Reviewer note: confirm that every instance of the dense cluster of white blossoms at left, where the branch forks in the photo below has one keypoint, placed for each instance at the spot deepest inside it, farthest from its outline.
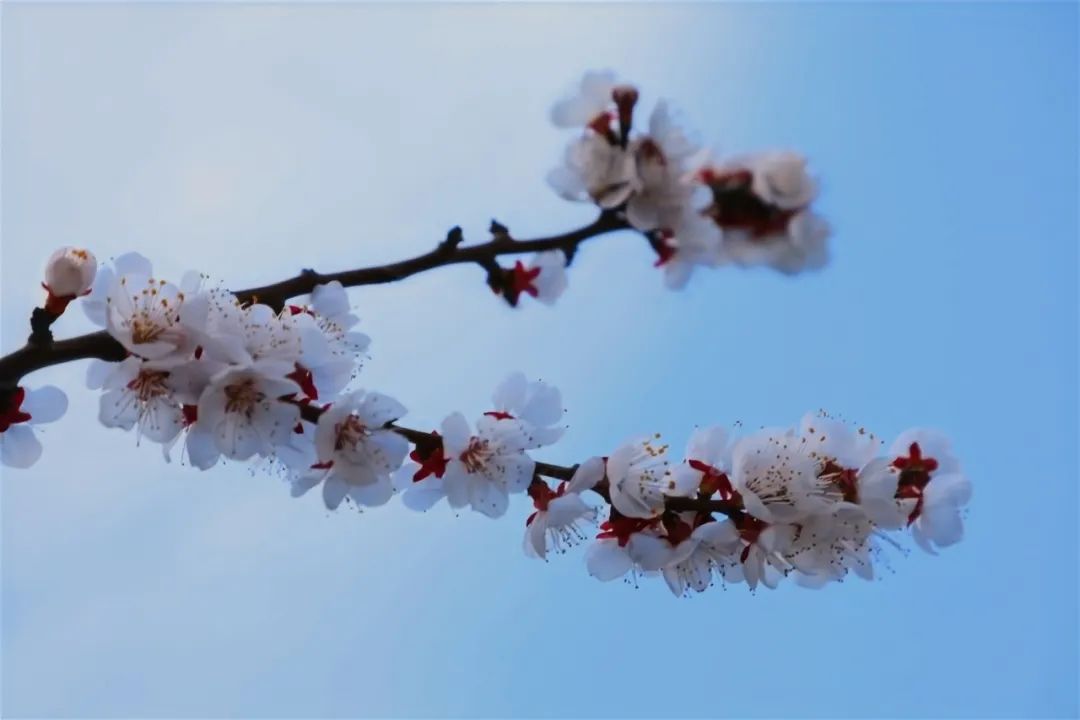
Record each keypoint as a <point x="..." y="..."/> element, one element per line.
<point x="228" y="379"/>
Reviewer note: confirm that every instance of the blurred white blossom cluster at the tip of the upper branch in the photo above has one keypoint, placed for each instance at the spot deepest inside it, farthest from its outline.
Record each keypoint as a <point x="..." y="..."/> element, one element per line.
<point x="696" y="211"/>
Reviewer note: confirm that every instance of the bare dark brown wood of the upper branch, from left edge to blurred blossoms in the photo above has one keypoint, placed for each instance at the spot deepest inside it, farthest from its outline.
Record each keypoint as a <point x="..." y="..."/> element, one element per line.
<point x="40" y="354"/>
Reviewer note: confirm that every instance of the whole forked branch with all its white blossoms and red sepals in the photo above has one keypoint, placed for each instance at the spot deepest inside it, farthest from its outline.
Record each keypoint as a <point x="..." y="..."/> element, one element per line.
<point x="225" y="379"/>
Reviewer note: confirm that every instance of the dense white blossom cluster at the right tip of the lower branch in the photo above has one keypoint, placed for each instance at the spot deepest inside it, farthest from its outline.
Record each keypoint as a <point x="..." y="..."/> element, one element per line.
<point x="815" y="501"/>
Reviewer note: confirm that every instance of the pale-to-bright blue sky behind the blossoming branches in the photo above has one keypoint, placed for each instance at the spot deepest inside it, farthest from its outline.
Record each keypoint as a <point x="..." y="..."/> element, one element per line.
<point x="250" y="142"/>
